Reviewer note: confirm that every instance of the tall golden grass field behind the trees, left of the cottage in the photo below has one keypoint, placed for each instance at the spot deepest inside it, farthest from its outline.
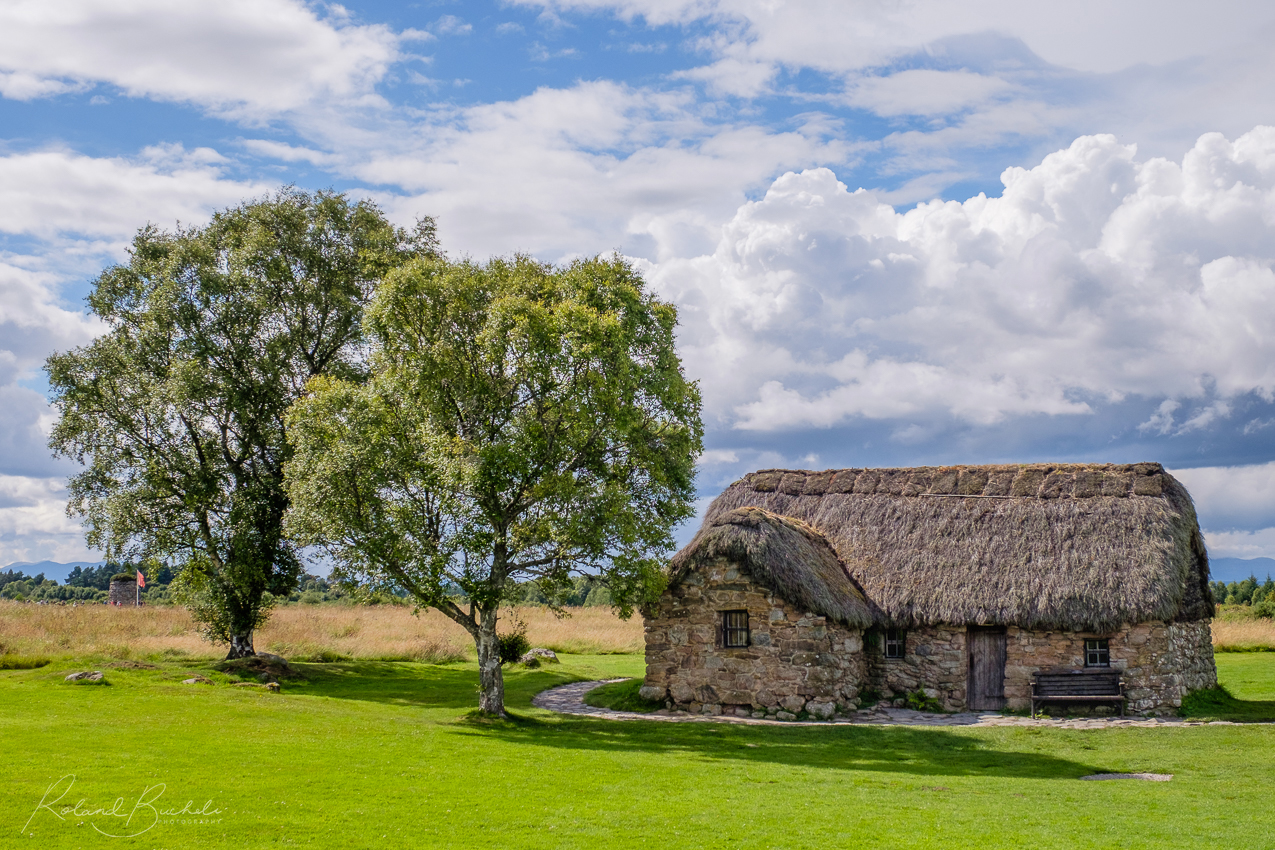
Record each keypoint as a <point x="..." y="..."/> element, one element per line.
<point x="381" y="633"/>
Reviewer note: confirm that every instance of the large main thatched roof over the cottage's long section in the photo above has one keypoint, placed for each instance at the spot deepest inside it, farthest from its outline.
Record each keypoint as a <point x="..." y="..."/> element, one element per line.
<point x="1044" y="546"/>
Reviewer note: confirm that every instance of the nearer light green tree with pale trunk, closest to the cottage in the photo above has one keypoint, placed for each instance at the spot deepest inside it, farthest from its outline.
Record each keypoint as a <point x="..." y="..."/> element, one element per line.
<point x="521" y="422"/>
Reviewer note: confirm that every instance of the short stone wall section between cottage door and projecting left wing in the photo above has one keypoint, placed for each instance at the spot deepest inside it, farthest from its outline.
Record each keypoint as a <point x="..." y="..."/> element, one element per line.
<point x="934" y="662"/>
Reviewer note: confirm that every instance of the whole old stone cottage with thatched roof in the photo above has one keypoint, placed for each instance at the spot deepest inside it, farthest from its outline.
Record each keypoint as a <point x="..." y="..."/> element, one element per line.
<point x="958" y="582"/>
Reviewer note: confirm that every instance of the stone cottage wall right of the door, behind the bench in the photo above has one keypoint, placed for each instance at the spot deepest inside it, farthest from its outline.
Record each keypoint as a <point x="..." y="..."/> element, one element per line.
<point x="1161" y="663"/>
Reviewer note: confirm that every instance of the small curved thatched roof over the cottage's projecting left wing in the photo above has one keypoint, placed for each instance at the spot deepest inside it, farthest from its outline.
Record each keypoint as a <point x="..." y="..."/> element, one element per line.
<point x="782" y="554"/>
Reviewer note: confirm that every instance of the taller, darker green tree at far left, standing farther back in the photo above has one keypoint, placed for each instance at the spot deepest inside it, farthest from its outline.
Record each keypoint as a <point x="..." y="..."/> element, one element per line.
<point x="178" y="411"/>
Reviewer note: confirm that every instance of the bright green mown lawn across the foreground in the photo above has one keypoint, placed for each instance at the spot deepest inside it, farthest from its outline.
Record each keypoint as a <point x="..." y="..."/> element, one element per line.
<point x="386" y="755"/>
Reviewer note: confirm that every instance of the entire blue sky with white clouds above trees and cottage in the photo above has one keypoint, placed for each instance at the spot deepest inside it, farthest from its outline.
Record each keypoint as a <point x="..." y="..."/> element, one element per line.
<point x="900" y="234"/>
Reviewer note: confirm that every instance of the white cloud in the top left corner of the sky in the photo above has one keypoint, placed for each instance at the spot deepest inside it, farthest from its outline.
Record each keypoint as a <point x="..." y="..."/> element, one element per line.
<point x="251" y="58"/>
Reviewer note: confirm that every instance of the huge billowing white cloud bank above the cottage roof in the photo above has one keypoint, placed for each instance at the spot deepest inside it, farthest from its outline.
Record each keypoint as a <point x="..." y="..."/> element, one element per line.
<point x="1096" y="277"/>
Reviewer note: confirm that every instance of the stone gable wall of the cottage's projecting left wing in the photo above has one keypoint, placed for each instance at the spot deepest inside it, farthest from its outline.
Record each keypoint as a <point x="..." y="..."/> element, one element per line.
<point x="798" y="662"/>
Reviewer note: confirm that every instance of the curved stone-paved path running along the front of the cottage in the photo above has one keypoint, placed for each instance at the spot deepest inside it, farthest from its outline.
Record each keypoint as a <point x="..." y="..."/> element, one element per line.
<point x="569" y="699"/>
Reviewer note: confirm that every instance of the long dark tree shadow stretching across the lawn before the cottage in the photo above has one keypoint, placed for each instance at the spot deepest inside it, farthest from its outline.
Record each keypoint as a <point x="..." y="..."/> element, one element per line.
<point x="893" y="750"/>
